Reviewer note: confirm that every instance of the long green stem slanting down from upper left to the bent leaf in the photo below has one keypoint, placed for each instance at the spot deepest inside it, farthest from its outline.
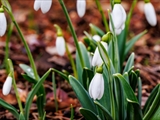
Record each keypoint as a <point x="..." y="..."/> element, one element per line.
<point x="25" y="45"/>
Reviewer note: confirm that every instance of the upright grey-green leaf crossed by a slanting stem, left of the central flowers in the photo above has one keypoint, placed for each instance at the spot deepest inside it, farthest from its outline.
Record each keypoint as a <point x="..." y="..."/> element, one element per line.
<point x="85" y="59"/>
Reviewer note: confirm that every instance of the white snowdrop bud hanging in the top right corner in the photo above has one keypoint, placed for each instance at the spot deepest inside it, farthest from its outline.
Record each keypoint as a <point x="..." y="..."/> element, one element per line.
<point x="150" y="14"/>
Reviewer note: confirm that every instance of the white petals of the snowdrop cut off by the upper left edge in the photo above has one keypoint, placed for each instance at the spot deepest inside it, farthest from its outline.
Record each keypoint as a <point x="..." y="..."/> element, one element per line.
<point x="3" y="24"/>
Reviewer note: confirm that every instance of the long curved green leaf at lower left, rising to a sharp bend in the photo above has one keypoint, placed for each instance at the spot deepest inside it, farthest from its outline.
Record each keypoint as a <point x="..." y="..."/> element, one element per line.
<point x="33" y="93"/>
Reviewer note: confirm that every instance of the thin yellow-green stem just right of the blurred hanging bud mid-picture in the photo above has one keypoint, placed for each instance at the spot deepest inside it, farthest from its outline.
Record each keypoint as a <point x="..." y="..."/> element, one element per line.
<point x="72" y="61"/>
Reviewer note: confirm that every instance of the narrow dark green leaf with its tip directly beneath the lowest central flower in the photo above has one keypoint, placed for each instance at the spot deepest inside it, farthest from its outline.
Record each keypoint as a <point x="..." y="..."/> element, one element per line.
<point x="105" y="111"/>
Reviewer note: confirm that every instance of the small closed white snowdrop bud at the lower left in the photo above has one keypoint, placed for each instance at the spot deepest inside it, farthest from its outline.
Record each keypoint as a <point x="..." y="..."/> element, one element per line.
<point x="7" y="86"/>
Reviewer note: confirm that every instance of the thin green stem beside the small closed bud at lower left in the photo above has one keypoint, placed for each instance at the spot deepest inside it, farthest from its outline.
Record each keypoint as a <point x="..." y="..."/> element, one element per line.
<point x="15" y="86"/>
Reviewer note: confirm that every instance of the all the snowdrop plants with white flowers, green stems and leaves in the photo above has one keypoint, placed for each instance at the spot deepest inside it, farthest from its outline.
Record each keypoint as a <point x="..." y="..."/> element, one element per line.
<point x="105" y="88"/>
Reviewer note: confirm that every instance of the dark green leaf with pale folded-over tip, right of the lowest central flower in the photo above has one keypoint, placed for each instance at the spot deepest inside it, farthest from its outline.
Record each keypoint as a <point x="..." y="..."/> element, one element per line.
<point x="127" y="89"/>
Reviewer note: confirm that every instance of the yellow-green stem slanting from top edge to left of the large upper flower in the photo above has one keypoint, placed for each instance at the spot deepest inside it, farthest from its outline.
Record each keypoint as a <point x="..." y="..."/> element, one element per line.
<point x="102" y="14"/>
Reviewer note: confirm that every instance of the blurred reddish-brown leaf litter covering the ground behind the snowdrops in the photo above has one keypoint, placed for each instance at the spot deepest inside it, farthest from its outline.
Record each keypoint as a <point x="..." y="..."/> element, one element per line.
<point x="40" y="34"/>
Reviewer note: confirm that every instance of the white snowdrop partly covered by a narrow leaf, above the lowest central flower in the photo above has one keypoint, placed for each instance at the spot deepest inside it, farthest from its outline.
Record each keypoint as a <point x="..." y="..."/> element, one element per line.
<point x="97" y="60"/>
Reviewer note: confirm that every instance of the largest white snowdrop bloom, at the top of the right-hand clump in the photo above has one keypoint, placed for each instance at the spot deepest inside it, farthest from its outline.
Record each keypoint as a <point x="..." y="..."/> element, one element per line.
<point x="118" y="16"/>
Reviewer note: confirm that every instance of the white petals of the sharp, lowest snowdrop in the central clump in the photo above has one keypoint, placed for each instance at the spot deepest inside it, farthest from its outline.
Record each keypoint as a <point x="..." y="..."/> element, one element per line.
<point x="96" y="87"/>
